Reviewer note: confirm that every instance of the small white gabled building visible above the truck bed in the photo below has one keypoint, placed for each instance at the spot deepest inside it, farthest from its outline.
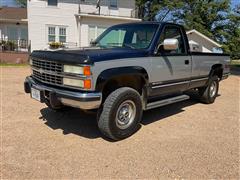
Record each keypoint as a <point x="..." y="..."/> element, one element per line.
<point x="201" y="43"/>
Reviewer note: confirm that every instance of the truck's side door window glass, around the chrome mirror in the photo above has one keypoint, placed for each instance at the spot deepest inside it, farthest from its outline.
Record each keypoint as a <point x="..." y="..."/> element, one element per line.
<point x="172" y="32"/>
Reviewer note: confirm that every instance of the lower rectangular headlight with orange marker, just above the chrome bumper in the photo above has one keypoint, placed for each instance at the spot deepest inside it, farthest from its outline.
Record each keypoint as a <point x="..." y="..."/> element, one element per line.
<point x="85" y="84"/>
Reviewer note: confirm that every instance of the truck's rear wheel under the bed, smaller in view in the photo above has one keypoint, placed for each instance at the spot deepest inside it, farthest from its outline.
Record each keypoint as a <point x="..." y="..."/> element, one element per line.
<point x="209" y="93"/>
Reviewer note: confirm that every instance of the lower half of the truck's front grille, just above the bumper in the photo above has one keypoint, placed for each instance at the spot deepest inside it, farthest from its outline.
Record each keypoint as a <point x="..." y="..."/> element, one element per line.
<point x="47" y="78"/>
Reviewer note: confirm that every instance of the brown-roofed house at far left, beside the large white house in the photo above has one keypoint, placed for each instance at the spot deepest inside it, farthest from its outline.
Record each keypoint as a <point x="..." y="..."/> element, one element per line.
<point x="13" y="25"/>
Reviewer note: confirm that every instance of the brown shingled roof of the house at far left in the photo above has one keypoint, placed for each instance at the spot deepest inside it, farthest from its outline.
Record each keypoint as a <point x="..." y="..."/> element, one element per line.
<point x="13" y="14"/>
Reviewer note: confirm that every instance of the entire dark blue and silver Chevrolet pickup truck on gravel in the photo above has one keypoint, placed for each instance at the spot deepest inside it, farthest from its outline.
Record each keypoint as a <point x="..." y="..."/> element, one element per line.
<point x="128" y="69"/>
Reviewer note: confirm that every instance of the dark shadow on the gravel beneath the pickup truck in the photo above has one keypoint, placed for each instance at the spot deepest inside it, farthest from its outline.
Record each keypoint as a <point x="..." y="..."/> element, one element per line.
<point x="75" y="121"/>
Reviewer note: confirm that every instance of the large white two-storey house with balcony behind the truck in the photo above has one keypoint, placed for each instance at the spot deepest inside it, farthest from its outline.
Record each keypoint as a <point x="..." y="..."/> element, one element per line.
<point x="74" y="22"/>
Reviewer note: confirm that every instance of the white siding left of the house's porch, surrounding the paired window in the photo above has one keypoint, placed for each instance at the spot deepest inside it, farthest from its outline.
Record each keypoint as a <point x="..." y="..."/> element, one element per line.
<point x="40" y="16"/>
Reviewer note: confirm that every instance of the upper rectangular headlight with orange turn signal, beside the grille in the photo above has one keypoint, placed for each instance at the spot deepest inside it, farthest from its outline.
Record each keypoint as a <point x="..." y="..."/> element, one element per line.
<point x="77" y="70"/>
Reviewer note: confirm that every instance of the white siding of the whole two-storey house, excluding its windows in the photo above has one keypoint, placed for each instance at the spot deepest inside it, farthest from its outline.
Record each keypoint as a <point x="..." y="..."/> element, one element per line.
<point x="40" y="16"/>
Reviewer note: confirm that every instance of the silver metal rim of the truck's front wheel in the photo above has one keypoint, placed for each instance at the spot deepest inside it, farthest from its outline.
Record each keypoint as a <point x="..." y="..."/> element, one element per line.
<point x="126" y="114"/>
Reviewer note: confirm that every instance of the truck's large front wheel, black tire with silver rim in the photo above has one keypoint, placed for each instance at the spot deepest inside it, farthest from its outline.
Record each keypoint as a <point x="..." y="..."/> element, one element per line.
<point x="121" y="114"/>
